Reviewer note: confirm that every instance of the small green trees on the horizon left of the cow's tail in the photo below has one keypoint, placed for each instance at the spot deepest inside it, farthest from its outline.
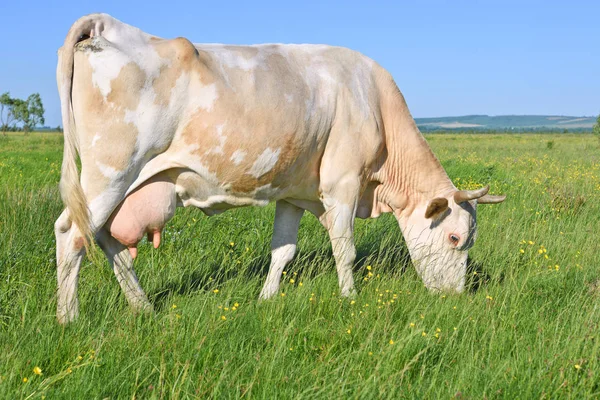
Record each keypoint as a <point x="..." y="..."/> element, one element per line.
<point x="18" y="114"/>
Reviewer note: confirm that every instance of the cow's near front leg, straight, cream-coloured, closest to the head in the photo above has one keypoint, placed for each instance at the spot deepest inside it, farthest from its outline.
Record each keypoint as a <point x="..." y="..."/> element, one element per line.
<point x="340" y="204"/>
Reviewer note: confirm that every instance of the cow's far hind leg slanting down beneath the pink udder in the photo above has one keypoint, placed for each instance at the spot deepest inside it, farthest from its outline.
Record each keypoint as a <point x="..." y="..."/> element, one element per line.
<point x="122" y="263"/>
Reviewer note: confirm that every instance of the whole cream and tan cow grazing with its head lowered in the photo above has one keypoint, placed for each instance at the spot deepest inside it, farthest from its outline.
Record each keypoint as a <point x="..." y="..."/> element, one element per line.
<point x="160" y="123"/>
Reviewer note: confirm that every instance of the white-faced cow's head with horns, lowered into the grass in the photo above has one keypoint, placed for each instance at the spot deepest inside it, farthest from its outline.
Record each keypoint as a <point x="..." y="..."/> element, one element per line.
<point x="439" y="234"/>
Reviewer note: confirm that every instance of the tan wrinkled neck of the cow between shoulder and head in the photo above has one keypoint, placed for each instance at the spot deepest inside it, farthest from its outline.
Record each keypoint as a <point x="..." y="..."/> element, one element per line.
<point x="410" y="172"/>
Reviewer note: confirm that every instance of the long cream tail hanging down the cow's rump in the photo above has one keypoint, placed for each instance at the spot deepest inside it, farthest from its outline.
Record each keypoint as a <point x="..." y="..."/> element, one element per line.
<point x="70" y="186"/>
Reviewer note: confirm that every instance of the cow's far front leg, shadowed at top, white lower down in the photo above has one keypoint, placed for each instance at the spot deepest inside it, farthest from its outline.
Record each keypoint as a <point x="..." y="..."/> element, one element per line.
<point x="283" y="244"/>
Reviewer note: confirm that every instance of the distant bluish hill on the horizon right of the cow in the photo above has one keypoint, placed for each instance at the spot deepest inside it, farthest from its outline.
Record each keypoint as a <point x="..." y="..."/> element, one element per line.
<point x="507" y="123"/>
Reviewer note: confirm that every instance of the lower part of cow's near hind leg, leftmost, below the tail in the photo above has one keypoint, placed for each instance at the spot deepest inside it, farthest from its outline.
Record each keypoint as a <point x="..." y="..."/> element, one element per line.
<point x="70" y="249"/>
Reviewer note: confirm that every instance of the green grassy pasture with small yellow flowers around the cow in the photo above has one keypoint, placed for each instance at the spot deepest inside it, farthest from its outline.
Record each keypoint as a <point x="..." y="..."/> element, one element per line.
<point x="527" y="328"/>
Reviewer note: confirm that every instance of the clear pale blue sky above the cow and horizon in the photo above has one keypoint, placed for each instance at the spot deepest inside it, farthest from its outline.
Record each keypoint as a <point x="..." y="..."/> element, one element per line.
<point x="448" y="57"/>
